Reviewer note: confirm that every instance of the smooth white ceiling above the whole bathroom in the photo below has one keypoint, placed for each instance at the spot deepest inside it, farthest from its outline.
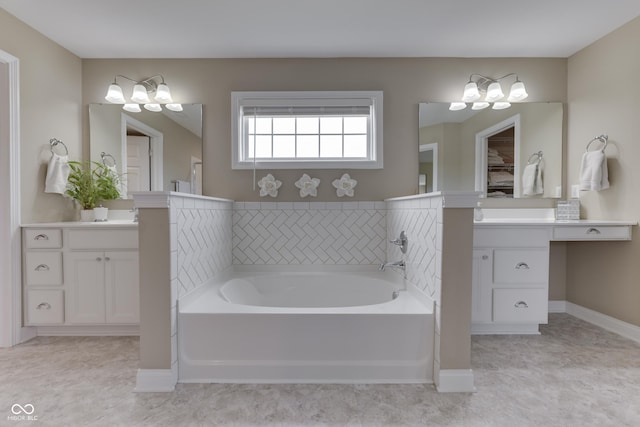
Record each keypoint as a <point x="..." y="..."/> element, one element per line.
<point x="323" y="28"/>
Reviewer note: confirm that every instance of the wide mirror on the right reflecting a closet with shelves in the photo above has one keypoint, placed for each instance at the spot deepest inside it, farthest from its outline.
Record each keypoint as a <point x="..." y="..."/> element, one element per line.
<point x="488" y="150"/>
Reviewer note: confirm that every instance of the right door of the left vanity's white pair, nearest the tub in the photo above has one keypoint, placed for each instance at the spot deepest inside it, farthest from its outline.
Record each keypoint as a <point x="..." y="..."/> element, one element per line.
<point x="121" y="287"/>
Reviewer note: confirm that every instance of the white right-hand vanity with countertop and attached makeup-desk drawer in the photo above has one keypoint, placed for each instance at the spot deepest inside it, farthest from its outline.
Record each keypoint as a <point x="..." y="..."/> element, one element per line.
<point x="510" y="282"/>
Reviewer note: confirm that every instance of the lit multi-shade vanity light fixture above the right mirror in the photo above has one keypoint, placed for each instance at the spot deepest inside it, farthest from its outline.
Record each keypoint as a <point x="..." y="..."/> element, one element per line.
<point x="493" y="93"/>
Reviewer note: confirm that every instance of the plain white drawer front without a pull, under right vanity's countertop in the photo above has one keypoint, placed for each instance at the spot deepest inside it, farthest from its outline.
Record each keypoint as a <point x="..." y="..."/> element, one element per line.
<point x="511" y="237"/>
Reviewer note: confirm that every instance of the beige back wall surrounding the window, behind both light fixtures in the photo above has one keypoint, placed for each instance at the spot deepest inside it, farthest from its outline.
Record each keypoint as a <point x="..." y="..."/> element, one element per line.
<point x="405" y="83"/>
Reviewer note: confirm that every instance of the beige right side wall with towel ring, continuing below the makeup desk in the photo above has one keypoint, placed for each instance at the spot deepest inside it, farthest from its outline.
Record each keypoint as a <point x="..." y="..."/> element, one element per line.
<point x="603" y="98"/>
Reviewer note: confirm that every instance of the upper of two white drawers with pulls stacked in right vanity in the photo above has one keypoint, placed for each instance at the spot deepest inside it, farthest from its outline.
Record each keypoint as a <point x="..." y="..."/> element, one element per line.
<point x="520" y="266"/>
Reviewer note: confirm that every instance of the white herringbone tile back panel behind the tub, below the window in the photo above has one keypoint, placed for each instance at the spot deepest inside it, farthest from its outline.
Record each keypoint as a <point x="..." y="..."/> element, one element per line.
<point x="332" y="233"/>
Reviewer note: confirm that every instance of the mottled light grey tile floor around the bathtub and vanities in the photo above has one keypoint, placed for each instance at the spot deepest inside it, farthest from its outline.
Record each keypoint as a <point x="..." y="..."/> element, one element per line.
<point x="574" y="374"/>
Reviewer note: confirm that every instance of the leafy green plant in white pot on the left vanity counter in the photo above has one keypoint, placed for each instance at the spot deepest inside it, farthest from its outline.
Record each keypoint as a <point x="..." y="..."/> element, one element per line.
<point x="90" y="183"/>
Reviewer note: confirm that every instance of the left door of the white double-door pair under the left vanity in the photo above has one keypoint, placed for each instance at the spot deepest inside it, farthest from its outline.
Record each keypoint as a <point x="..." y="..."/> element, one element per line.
<point x="84" y="276"/>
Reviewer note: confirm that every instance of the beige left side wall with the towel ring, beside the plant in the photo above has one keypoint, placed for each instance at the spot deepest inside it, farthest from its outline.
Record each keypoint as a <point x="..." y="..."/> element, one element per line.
<point x="50" y="107"/>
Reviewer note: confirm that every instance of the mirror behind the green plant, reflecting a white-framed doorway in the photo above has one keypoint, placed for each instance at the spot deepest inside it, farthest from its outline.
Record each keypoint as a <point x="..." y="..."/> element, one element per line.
<point x="152" y="151"/>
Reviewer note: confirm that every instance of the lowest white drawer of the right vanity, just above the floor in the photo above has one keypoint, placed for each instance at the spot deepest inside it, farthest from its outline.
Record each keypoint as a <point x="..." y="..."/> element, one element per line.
<point x="520" y="305"/>
